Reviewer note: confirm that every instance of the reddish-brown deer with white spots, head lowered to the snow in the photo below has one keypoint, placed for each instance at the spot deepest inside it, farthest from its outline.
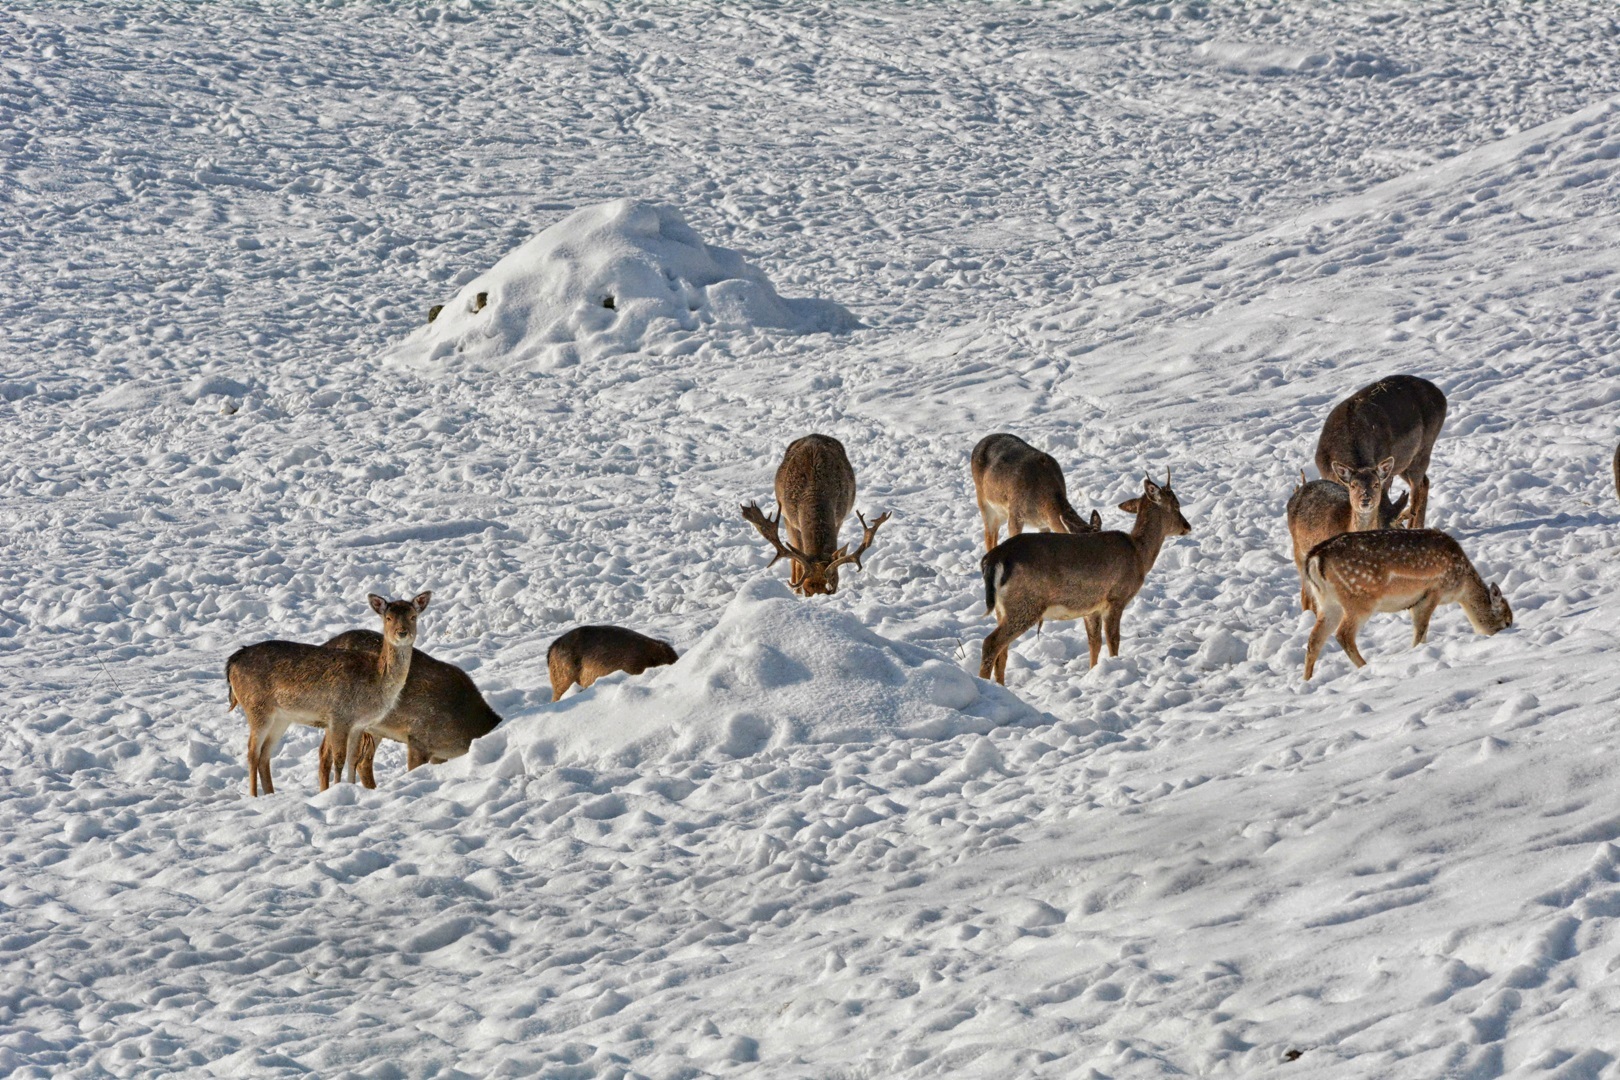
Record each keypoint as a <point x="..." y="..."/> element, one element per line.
<point x="1388" y="571"/>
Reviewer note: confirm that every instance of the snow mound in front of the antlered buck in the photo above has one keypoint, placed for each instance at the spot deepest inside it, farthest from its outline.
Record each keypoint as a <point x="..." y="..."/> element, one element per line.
<point x="777" y="671"/>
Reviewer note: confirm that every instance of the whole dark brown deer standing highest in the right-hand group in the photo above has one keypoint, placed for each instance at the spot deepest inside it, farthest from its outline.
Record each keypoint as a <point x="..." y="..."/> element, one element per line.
<point x="1379" y="433"/>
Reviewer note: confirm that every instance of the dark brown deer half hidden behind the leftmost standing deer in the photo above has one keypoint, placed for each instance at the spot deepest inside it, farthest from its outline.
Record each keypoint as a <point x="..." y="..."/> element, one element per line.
<point x="438" y="715"/>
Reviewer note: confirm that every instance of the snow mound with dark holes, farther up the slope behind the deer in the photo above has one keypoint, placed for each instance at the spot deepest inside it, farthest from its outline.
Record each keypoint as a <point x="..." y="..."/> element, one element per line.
<point x="618" y="278"/>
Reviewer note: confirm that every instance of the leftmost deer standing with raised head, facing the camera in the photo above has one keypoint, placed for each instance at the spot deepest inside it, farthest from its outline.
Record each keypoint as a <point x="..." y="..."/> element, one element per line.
<point x="284" y="682"/>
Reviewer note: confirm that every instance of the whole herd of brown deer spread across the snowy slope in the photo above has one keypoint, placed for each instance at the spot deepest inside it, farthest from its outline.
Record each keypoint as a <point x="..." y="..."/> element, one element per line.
<point x="1357" y="555"/>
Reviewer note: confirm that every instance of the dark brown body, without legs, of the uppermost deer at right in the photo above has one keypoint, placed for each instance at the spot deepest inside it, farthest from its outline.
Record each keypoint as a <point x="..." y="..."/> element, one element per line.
<point x="1399" y="419"/>
